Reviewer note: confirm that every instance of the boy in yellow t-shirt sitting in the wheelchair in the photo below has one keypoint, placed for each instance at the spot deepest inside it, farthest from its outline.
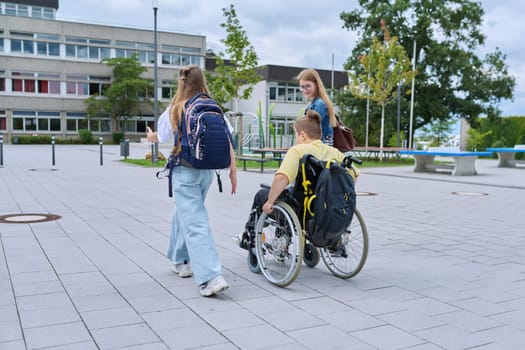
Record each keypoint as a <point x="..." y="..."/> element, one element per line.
<point x="308" y="141"/>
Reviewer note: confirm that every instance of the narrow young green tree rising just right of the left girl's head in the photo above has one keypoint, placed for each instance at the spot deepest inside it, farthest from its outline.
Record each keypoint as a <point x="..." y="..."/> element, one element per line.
<point x="235" y="73"/>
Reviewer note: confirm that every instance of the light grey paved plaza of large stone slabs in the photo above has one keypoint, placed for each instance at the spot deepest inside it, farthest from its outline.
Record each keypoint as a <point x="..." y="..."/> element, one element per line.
<point x="445" y="270"/>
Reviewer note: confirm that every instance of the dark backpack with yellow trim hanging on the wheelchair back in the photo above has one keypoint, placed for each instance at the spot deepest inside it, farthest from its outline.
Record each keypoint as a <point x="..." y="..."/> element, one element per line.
<point x="326" y="197"/>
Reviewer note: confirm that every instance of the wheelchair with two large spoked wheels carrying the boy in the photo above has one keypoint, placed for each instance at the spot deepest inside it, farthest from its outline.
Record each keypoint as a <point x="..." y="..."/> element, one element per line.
<point x="279" y="244"/>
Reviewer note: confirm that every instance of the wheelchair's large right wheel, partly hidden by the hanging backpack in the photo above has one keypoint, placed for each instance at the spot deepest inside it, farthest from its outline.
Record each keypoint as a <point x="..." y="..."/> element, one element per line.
<point x="348" y="256"/>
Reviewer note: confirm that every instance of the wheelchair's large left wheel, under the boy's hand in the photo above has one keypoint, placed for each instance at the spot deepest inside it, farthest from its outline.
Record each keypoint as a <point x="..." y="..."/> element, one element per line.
<point x="279" y="243"/>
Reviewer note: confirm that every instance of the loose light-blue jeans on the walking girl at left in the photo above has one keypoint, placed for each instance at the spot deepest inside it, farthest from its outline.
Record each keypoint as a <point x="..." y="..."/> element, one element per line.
<point x="191" y="238"/>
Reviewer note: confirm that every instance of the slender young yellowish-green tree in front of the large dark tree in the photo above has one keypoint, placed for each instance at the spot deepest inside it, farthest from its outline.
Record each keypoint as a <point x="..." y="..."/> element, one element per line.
<point x="382" y="70"/>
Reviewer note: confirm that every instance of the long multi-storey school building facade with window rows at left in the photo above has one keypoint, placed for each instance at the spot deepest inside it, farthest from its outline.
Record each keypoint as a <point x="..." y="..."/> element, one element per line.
<point x="49" y="67"/>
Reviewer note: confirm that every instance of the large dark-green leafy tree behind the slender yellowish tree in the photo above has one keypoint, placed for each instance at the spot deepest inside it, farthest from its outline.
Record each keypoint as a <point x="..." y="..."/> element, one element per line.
<point x="452" y="81"/>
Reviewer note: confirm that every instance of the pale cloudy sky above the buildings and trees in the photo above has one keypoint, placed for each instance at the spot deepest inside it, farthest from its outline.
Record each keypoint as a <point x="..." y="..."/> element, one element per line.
<point x="293" y="32"/>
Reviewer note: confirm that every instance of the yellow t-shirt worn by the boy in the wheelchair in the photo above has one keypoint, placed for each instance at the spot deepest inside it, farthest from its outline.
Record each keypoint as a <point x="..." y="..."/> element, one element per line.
<point x="321" y="151"/>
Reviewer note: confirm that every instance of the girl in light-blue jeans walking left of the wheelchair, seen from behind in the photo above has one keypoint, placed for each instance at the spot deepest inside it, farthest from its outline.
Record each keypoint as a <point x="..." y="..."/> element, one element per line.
<point x="191" y="249"/>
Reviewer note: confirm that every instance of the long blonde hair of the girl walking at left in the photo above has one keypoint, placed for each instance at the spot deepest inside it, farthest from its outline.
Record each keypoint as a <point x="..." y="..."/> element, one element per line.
<point x="191" y="82"/>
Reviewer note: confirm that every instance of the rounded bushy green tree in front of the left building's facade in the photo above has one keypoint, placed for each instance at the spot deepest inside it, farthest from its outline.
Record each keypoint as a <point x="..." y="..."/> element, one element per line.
<point x="125" y="96"/>
